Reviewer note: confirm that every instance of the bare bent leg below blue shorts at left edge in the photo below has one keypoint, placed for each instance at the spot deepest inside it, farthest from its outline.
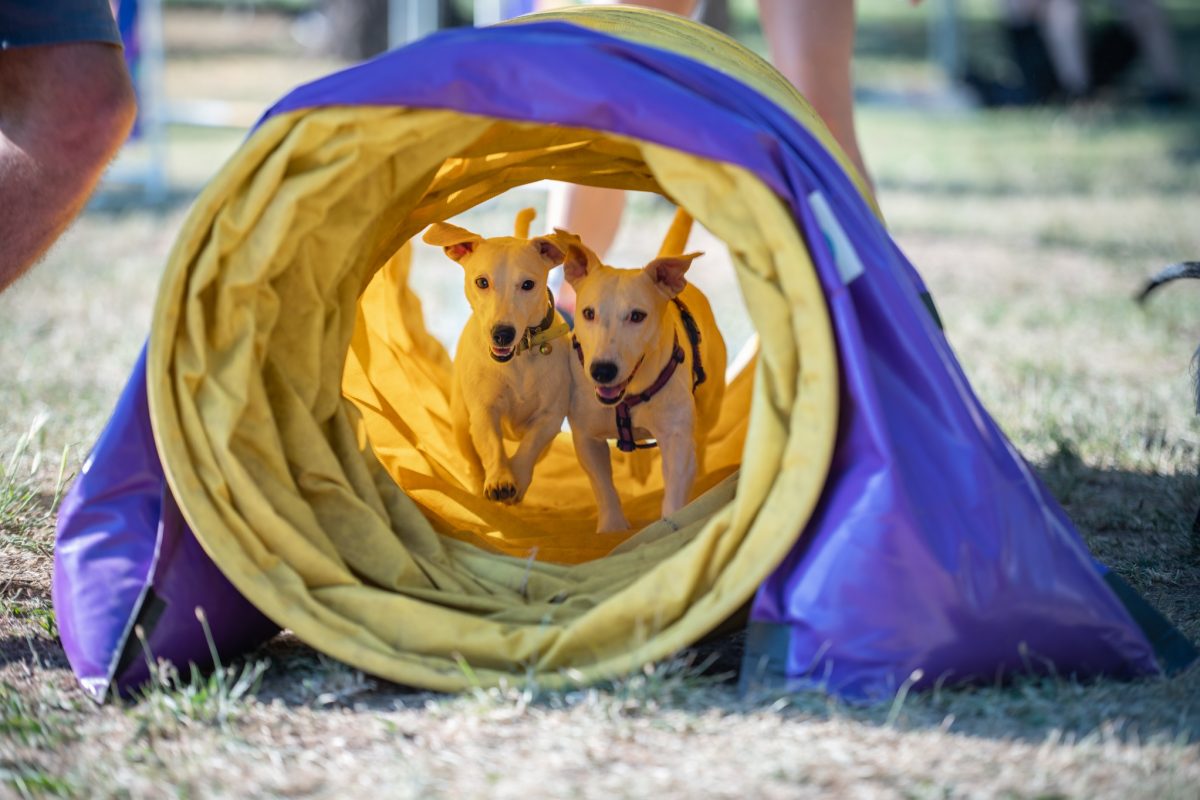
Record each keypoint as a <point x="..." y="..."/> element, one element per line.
<point x="65" y="110"/>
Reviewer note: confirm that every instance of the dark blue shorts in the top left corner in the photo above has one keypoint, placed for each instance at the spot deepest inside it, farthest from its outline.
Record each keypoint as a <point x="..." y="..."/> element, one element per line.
<point x="25" y="23"/>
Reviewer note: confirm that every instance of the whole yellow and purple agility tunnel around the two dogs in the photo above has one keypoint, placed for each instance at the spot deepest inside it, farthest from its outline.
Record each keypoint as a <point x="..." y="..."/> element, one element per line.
<point x="283" y="458"/>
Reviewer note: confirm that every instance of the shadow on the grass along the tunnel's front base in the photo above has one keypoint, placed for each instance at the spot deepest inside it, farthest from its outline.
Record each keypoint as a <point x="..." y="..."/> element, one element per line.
<point x="1024" y="709"/>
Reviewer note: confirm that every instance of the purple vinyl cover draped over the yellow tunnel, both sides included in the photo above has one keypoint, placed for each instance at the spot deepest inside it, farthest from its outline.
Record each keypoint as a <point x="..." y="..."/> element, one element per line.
<point x="934" y="548"/>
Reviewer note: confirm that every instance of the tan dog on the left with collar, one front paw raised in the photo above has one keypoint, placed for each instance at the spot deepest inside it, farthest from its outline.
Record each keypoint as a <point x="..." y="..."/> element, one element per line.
<point x="512" y="377"/>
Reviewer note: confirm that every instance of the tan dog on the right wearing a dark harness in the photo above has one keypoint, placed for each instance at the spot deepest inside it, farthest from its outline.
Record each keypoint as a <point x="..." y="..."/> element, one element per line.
<point x="650" y="364"/>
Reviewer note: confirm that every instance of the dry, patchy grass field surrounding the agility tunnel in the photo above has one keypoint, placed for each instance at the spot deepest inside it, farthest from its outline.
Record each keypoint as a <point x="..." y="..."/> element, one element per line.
<point x="1033" y="228"/>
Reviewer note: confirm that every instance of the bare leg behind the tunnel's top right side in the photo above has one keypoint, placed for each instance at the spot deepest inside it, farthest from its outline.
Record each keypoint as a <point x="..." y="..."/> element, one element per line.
<point x="813" y="44"/>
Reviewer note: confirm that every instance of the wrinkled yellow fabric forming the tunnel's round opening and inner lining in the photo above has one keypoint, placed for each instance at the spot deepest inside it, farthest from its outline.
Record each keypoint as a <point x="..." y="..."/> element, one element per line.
<point x="345" y="520"/>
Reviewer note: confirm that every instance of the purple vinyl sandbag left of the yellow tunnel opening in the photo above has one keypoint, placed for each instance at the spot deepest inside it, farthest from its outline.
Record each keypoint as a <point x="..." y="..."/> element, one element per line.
<point x="124" y="556"/>
